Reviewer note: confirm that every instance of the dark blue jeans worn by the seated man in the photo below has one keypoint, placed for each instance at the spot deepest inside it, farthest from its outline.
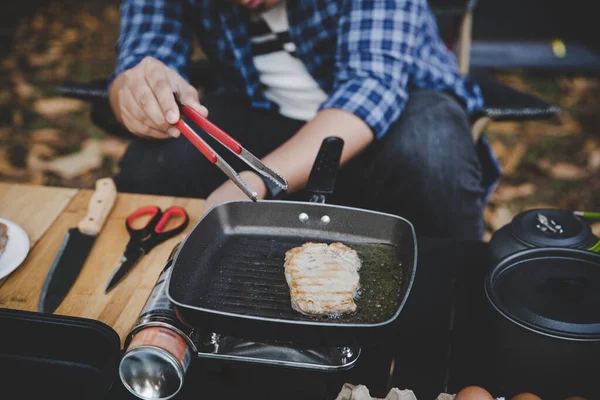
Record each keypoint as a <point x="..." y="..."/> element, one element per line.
<point x="425" y="169"/>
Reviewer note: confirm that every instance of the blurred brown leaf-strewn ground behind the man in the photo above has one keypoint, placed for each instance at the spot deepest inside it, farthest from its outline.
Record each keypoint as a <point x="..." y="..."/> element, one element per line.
<point x="47" y="139"/>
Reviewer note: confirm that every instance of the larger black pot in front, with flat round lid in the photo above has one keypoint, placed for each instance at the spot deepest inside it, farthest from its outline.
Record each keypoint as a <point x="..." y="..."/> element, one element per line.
<point x="544" y="320"/>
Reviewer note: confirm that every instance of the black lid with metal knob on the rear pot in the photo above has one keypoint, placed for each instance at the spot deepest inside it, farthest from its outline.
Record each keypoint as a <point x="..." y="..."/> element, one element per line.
<point x="551" y="228"/>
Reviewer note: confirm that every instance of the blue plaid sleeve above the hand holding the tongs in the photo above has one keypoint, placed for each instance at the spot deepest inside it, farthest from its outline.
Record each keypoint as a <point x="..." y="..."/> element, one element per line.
<point x="154" y="28"/>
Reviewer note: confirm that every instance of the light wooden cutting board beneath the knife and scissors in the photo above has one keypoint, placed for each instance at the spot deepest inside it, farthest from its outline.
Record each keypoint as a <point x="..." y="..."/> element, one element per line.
<point x="119" y="308"/>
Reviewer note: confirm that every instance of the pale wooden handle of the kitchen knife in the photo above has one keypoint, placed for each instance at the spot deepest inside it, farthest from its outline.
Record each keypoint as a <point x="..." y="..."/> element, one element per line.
<point x="101" y="203"/>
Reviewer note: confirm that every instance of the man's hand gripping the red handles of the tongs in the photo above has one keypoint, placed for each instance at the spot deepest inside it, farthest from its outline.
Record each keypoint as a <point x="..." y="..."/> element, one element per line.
<point x="142" y="99"/>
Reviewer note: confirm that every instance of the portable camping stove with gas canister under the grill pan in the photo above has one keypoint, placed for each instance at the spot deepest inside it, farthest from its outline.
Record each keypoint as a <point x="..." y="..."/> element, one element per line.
<point x="160" y="349"/>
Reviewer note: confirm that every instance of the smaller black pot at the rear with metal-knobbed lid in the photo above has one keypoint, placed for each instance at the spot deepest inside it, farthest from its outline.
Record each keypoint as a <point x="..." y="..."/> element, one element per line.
<point x="538" y="228"/>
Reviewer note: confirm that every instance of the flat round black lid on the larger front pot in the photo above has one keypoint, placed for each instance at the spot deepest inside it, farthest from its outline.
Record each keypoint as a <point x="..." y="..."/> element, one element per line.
<point x="553" y="291"/>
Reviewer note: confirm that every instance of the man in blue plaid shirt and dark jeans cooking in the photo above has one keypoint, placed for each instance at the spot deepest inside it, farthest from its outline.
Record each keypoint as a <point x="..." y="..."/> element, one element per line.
<point x="292" y="73"/>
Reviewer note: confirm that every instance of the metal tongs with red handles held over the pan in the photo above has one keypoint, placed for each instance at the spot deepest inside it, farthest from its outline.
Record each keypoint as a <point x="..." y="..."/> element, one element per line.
<point x="228" y="142"/>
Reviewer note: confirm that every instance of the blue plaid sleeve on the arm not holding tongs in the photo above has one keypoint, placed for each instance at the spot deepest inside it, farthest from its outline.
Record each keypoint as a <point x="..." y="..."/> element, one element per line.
<point x="377" y="41"/>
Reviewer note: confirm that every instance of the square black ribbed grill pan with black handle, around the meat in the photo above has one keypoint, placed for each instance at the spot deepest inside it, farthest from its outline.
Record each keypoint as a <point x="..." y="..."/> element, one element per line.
<point x="228" y="275"/>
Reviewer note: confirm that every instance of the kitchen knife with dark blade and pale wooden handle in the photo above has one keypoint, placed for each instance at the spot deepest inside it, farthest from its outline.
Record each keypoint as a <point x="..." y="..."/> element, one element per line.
<point x="76" y="246"/>
